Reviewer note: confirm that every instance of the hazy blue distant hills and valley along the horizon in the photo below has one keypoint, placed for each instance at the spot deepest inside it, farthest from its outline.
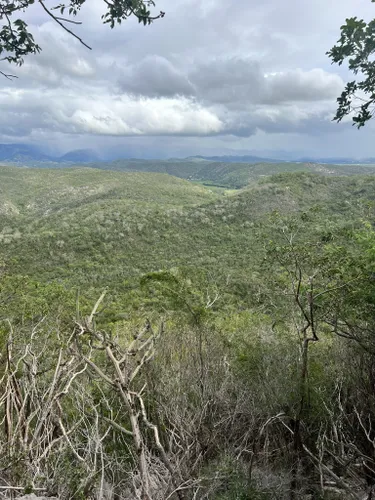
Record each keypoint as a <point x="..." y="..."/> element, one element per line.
<point x="222" y="171"/>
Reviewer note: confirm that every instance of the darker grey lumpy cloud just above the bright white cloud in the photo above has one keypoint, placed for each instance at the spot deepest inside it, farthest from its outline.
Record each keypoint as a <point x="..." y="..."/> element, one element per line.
<point x="228" y="81"/>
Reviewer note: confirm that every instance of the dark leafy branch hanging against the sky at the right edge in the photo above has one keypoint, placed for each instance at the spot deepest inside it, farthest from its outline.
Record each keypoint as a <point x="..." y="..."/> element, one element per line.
<point x="357" y="45"/>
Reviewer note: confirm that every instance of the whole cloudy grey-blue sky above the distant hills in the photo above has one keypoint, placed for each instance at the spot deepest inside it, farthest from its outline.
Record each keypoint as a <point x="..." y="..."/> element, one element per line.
<point x="212" y="77"/>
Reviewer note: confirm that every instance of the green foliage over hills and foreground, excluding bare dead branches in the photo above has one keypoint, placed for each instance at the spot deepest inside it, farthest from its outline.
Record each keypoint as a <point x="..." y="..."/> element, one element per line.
<point x="221" y="270"/>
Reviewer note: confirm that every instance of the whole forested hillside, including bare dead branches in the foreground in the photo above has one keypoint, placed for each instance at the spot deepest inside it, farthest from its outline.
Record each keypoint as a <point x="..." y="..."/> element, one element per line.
<point x="183" y="341"/>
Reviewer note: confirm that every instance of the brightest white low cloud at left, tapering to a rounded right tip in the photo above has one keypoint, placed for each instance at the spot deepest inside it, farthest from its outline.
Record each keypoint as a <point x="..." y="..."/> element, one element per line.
<point x="95" y="113"/>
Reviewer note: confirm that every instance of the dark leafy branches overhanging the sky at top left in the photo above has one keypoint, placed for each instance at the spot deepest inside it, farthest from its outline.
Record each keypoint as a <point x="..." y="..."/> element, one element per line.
<point x="16" y="41"/>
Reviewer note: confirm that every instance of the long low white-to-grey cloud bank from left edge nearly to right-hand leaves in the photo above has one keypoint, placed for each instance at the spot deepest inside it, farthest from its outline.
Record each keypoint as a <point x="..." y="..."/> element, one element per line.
<point x="90" y="110"/>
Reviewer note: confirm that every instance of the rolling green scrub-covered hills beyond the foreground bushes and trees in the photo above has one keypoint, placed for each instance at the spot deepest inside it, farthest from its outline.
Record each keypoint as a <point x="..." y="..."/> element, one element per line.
<point x="91" y="228"/>
